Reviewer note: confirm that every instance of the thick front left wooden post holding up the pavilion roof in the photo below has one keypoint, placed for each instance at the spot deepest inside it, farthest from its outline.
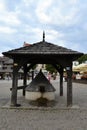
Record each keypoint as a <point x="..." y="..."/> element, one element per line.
<point x="14" y="85"/>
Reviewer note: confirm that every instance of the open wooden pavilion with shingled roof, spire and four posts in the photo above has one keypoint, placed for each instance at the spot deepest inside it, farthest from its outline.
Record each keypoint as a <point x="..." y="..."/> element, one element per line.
<point x="42" y="52"/>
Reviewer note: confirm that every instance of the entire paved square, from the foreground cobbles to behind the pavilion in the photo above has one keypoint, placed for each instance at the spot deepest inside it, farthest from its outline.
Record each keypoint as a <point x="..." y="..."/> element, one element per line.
<point x="44" y="119"/>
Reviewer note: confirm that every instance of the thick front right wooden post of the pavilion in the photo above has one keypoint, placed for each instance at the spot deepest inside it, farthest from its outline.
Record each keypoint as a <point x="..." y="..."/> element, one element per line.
<point x="69" y="85"/>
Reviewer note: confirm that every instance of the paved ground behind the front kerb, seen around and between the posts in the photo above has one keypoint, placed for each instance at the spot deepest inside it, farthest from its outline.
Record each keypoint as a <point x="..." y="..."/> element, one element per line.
<point x="79" y="94"/>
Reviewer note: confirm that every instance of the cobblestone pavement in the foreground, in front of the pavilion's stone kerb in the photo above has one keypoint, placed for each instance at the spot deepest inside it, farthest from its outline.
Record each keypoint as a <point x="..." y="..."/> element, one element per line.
<point x="14" y="119"/>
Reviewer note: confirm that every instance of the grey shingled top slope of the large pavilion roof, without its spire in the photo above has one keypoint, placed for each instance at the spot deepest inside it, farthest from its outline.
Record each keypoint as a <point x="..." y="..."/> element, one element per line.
<point x="42" y="47"/>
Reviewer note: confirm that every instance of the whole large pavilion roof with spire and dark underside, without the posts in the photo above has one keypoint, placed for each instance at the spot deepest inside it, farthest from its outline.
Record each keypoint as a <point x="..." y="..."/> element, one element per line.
<point x="44" y="52"/>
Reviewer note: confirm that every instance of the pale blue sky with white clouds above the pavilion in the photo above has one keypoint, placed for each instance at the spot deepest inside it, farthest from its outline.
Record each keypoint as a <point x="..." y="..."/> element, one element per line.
<point x="64" y="22"/>
